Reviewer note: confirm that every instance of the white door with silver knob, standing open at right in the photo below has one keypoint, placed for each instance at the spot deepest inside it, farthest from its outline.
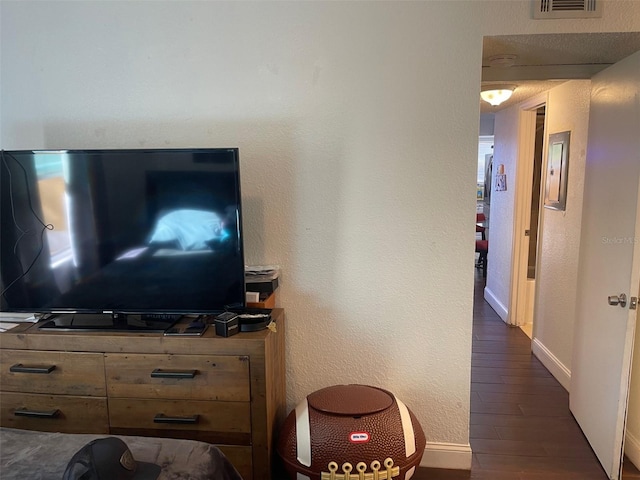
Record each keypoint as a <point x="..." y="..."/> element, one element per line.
<point x="609" y="262"/>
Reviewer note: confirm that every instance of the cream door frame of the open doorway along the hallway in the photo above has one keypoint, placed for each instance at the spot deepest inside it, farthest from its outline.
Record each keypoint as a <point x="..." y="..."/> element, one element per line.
<point x="522" y="206"/>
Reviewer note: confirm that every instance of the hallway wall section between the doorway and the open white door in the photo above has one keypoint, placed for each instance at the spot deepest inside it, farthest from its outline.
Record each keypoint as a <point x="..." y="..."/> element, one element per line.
<point x="559" y="243"/>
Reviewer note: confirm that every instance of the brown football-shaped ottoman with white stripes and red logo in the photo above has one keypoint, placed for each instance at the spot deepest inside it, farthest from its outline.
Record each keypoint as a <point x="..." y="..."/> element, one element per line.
<point x="351" y="432"/>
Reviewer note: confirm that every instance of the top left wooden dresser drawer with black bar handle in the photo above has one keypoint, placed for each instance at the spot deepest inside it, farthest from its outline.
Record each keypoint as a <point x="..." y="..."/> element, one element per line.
<point x="70" y="373"/>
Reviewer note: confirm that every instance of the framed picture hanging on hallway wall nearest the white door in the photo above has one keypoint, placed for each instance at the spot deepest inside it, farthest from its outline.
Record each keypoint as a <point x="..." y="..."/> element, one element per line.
<point x="555" y="192"/>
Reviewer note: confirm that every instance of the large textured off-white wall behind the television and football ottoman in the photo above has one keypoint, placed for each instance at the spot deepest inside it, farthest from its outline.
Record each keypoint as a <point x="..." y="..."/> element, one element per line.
<point x="357" y="124"/>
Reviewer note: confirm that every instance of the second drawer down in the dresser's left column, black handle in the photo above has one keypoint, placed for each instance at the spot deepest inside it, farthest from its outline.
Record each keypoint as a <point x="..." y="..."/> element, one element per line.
<point x="54" y="413"/>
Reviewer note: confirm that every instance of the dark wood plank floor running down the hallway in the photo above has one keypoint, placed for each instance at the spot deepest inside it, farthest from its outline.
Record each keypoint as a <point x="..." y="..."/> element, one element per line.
<point x="521" y="426"/>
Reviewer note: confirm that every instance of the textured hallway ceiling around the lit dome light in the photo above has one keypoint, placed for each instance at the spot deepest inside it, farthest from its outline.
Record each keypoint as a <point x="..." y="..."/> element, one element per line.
<point x="545" y="61"/>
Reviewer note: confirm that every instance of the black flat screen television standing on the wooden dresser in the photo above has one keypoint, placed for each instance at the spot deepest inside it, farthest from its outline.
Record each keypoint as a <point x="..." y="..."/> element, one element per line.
<point x="92" y="237"/>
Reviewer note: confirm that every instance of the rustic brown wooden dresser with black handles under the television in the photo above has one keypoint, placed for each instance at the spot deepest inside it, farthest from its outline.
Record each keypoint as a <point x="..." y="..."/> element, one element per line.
<point x="225" y="391"/>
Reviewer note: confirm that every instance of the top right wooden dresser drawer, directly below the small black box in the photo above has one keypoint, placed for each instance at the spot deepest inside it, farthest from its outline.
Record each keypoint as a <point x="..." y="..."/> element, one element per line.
<point x="193" y="377"/>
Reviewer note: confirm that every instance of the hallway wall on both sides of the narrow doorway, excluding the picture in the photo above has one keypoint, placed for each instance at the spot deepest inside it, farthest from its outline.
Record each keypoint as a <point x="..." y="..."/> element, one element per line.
<point x="559" y="237"/>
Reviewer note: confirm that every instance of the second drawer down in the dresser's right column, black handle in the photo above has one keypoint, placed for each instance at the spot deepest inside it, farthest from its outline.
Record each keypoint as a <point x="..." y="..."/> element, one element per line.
<point x="224" y="422"/>
